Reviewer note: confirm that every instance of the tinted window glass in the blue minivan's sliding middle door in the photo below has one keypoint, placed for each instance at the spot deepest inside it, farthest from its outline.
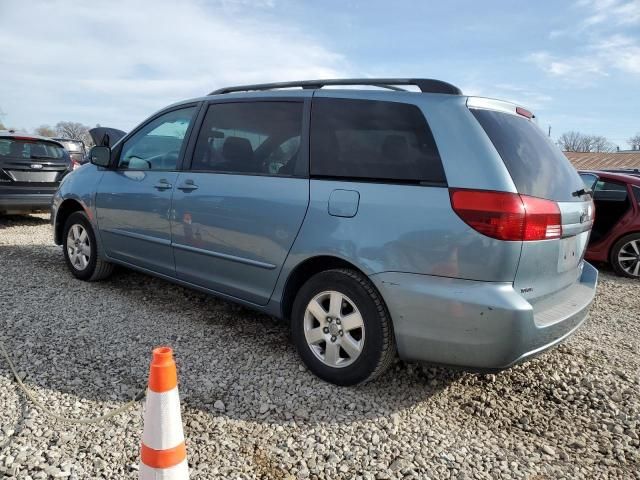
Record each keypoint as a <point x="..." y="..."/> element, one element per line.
<point x="250" y="137"/>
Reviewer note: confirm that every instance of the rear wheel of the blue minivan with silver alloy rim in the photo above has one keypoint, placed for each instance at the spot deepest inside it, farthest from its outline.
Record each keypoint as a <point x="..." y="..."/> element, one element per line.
<point x="341" y="328"/>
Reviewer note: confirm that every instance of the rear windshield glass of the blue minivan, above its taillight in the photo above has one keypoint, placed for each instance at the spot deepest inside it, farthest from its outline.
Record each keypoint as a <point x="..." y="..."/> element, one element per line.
<point x="538" y="167"/>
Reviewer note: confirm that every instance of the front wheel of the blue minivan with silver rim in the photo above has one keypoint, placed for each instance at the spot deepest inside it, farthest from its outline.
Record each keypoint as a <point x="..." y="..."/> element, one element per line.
<point x="81" y="249"/>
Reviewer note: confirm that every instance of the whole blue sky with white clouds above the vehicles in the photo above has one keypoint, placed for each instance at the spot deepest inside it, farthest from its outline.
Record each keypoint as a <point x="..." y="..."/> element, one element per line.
<point x="576" y="64"/>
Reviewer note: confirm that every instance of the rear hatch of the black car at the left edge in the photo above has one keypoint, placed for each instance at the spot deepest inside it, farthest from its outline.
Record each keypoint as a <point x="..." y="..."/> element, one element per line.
<point x="31" y="163"/>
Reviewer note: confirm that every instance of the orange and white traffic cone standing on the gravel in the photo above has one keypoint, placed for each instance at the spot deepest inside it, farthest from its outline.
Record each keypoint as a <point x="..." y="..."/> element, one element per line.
<point x="163" y="453"/>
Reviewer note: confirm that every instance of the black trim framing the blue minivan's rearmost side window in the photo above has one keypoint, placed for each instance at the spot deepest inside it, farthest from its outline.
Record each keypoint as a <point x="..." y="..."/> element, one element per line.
<point x="387" y="181"/>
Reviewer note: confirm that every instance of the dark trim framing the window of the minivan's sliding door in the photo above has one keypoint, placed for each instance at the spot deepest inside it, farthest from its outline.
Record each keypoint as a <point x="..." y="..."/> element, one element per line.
<point x="302" y="166"/>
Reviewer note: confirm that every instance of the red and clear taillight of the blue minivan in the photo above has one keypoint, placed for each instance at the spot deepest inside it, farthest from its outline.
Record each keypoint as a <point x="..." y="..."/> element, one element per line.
<point x="507" y="216"/>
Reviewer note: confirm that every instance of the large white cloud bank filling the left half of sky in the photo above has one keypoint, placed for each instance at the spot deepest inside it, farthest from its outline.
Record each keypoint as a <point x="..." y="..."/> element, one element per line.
<point x="117" y="62"/>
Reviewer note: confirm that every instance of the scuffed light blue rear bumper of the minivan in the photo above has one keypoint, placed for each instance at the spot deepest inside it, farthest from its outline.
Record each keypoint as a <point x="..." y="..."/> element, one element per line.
<point x="483" y="325"/>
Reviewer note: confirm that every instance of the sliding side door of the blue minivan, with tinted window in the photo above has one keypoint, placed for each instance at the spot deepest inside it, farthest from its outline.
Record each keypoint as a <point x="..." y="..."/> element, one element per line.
<point x="237" y="211"/>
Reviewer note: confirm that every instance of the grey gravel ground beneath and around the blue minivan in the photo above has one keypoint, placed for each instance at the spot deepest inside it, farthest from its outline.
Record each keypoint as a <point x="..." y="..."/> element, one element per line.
<point x="250" y="410"/>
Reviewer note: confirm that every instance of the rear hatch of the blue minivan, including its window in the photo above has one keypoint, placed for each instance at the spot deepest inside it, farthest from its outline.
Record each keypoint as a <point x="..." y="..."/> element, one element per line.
<point x="541" y="171"/>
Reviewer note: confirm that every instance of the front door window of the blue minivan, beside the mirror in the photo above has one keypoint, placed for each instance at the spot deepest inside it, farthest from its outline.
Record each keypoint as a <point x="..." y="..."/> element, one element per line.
<point x="157" y="145"/>
